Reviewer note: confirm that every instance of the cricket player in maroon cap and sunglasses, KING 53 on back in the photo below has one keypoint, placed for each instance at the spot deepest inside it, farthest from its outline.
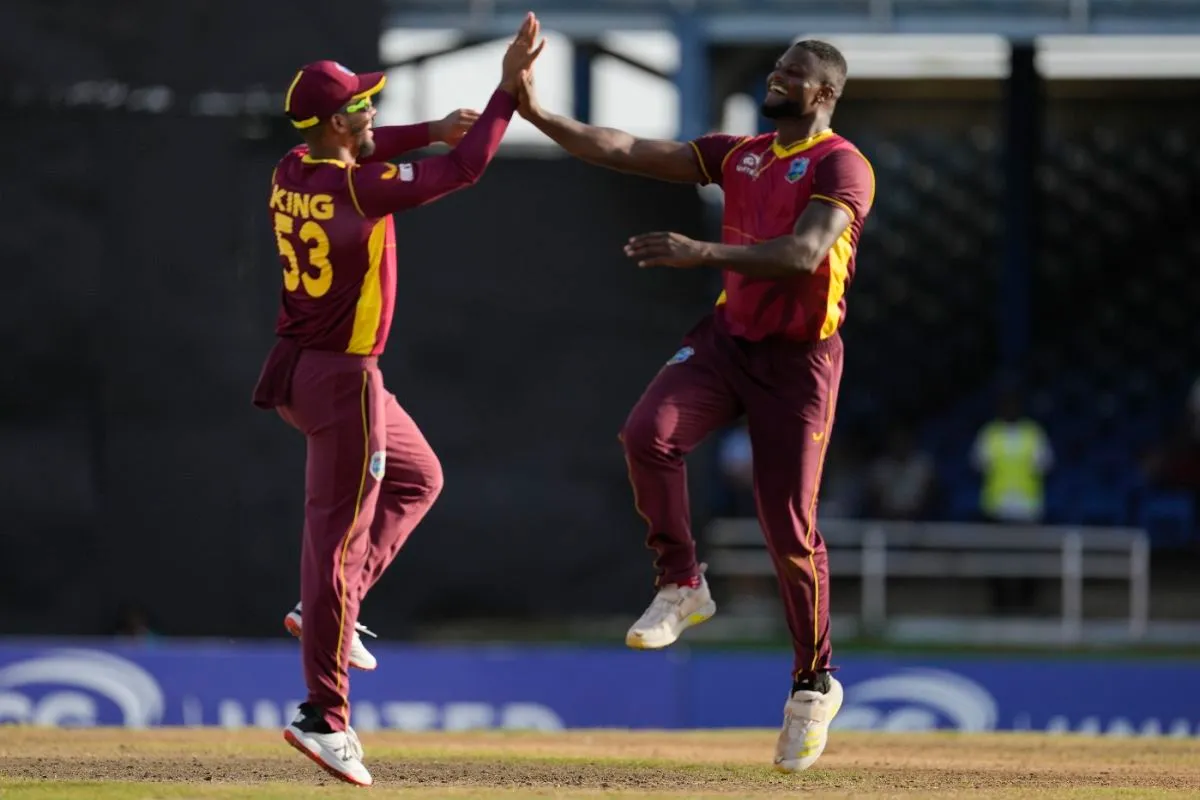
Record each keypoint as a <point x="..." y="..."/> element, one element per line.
<point x="371" y="477"/>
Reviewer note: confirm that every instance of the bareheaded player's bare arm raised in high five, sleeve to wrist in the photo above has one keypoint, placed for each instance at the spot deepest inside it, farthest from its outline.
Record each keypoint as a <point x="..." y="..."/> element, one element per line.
<point x="669" y="161"/>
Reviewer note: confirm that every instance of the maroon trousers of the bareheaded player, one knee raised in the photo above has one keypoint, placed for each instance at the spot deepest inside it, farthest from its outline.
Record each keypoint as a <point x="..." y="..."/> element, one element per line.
<point x="789" y="393"/>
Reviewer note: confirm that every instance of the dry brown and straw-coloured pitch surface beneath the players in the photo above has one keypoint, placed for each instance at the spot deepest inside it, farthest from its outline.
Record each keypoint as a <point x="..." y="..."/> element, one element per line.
<point x="107" y="765"/>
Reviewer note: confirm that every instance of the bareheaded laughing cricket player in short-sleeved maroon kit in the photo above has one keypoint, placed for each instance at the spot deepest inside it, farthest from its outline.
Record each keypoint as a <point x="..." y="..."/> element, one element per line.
<point x="795" y="207"/>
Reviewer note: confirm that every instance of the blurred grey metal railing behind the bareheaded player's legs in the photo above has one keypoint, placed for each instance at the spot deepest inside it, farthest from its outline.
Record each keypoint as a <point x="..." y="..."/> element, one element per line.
<point x="877" y="551"/>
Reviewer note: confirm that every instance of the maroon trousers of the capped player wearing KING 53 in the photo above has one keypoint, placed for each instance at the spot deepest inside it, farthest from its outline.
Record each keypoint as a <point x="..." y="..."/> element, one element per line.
<point x="371" y="477"/>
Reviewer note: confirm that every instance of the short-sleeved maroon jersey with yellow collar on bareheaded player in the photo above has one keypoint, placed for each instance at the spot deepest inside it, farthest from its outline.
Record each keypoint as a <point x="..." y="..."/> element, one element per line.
<point x="767" y="187"/>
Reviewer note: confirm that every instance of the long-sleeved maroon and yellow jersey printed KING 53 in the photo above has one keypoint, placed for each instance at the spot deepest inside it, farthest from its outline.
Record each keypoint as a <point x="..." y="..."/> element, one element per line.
<point x="337" y="237"/>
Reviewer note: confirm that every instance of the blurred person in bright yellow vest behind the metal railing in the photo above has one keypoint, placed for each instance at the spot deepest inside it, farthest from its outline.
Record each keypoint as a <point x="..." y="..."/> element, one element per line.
<point x="1013" y="455"/>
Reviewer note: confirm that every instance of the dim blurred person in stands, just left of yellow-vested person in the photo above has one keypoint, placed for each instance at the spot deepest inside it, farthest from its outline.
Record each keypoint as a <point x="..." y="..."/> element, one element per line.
<point x="902" y="482"/>
